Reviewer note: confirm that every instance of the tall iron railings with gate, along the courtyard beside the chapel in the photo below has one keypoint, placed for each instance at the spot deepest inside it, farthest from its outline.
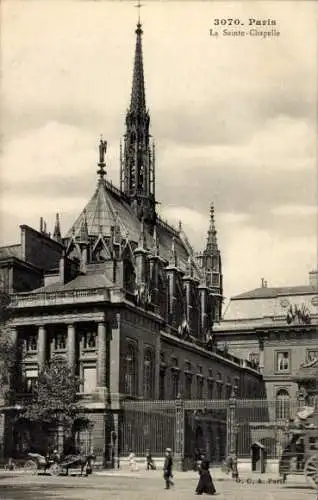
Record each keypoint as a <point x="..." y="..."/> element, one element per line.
<point x="211" y="425"/>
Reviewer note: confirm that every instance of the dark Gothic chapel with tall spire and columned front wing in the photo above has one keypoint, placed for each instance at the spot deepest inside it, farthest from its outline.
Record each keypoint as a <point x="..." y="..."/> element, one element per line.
<point x="122" y="296"/>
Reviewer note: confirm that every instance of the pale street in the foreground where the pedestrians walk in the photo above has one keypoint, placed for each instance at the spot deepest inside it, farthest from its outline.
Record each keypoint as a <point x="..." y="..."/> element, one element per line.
<point x="139" y="487"/>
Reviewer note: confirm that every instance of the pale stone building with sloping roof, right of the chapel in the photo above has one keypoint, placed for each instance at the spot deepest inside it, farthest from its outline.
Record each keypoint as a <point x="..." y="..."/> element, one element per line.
<point x="276" y="329"/>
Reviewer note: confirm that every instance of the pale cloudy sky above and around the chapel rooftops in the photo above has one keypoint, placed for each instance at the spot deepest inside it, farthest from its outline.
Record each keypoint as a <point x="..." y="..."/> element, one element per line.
<point x="234" y="121"/>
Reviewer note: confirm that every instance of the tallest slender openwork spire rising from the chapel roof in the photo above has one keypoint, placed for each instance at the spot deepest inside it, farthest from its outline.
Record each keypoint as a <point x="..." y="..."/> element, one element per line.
<point x="137" y="169"/>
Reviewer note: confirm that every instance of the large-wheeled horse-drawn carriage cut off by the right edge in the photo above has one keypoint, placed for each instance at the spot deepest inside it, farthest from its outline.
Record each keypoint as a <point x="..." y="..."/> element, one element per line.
<point x="300" y="453"/>
